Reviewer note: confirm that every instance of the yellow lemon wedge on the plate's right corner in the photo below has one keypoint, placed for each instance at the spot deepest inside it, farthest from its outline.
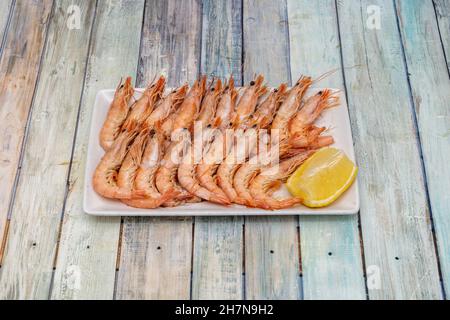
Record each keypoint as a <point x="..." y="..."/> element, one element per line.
<point x="322" y="178"/>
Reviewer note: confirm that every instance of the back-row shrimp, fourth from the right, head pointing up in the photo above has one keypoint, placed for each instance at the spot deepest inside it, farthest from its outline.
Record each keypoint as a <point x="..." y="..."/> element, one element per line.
<point x="248" y="101"/>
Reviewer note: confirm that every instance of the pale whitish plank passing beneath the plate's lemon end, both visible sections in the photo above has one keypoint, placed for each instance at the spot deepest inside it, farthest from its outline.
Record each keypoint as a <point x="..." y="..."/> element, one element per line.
<point x="329" y="246"/>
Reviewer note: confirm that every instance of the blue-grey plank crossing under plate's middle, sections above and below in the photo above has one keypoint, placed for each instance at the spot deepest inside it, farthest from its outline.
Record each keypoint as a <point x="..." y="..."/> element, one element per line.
<point x="218" y="242"/>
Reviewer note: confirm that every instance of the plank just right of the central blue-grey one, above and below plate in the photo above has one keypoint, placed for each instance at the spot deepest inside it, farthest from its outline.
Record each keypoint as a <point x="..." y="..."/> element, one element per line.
<point x="271" y="243"/>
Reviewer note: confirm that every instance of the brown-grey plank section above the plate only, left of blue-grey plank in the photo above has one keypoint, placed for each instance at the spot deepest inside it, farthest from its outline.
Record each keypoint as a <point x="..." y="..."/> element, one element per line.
<point x="171" y="41"/>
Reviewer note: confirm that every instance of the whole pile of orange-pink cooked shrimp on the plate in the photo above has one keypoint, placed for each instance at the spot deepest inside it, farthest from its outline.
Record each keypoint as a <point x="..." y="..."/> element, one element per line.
<point x="150" y="143"/>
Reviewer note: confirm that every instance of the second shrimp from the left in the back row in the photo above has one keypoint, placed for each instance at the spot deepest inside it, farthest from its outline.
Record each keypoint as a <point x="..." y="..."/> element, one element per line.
<point x="145" y="104"/>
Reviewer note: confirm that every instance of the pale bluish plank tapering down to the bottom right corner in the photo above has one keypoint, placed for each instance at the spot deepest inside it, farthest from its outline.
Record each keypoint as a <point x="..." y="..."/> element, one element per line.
<point x="430" y="84"/>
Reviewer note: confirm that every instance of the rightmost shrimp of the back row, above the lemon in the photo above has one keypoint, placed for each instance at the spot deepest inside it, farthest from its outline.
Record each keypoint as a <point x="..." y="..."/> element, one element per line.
<point x="311" y="110"/>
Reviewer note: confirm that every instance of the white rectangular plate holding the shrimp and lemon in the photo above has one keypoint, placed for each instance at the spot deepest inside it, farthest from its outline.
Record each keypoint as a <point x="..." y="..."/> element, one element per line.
<point x="336" y="119"/>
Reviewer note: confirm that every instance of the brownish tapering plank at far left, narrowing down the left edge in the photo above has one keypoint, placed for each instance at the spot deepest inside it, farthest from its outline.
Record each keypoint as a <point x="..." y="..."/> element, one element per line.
<point x="19" y="67"/>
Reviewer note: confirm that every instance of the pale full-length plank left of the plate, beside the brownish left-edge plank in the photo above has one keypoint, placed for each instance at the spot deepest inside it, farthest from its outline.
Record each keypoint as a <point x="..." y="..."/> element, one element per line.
<point x="36" y="215"/>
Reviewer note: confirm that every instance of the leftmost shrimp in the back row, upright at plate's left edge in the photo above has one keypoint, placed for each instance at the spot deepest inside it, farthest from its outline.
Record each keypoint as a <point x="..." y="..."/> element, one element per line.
<point x="117" y="114"/>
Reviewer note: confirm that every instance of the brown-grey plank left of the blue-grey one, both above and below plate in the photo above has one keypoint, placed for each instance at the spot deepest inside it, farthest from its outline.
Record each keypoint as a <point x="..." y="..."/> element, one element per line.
<point x="156" y="253"/>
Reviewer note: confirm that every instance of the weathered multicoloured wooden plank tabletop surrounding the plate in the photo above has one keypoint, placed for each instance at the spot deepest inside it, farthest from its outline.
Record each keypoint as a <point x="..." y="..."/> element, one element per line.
<point x="391" y="57"/>
